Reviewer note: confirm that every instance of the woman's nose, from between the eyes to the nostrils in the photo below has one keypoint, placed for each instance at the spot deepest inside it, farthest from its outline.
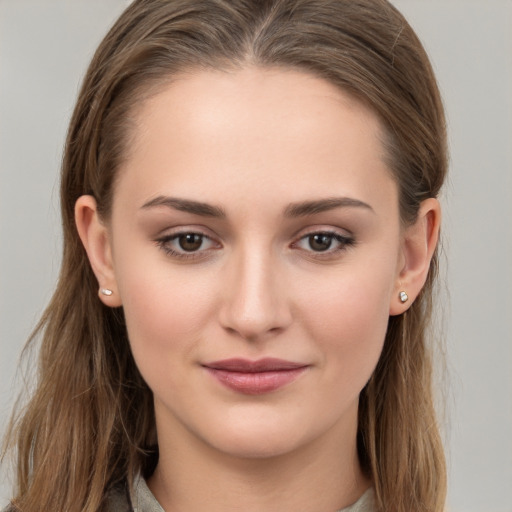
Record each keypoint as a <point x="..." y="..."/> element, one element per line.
<point x="255" y="302"/>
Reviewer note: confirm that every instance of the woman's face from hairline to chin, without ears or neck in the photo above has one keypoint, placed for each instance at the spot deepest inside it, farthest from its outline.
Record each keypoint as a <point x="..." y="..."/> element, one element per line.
<point x="256" y="246"/>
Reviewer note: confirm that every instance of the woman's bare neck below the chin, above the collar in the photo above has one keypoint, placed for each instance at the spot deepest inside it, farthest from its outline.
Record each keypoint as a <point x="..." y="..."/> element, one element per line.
<point x="192" y="476"/>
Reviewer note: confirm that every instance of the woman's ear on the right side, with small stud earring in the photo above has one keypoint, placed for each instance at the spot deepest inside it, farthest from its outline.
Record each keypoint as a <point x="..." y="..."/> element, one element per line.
<point x="419" y="241"/>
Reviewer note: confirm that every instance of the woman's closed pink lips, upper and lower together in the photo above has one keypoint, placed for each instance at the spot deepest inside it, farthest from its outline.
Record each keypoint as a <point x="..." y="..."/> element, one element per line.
<point x="255" y="377"/>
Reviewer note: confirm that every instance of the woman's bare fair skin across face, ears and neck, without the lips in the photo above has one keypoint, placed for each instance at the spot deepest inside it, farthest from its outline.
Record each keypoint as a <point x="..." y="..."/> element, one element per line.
<point x="253" y="144"/>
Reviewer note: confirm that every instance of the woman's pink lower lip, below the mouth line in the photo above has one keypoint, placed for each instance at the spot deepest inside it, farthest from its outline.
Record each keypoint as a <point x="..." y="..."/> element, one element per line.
<point x="256" y="383"/>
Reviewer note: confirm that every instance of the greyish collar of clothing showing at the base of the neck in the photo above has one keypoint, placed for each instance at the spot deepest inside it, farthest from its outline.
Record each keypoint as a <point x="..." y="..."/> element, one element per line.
<point x="144" y="501"/>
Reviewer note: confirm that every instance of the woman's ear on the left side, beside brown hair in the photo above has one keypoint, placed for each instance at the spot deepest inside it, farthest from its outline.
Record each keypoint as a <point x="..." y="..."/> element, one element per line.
<point x="95" y="238"/>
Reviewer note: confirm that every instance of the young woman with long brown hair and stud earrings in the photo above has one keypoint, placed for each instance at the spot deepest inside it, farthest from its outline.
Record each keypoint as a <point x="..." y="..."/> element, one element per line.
<point x="250" y="228"/>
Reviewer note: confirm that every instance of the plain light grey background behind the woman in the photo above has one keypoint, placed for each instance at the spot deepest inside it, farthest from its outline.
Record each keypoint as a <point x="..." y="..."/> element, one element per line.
<point x="45" y="46"/>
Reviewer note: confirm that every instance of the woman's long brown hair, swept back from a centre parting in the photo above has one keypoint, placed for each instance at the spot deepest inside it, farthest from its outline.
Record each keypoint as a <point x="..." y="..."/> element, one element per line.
<point x="90" y="421"/>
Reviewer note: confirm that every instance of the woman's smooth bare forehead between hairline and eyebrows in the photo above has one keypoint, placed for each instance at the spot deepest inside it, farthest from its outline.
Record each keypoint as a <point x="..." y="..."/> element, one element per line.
<point x="262" y="132"/>
